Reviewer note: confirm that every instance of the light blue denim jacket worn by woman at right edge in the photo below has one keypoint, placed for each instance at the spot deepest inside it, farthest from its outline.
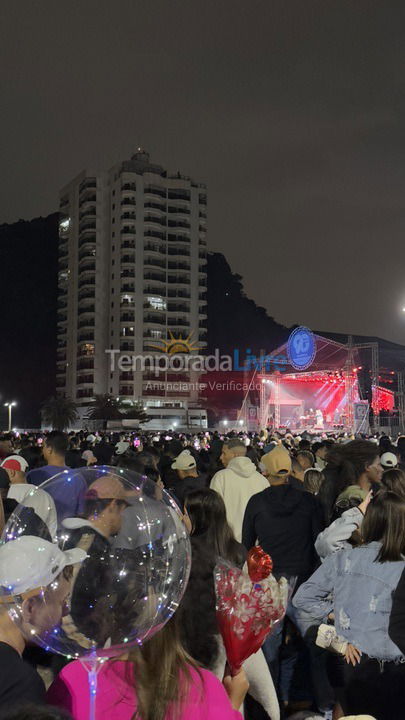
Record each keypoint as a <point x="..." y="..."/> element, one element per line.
<point x="359" y="590"/>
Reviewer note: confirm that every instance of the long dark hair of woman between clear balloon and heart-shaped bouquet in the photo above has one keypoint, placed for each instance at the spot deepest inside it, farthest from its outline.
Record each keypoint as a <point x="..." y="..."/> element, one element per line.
<point x="207" y="513"/>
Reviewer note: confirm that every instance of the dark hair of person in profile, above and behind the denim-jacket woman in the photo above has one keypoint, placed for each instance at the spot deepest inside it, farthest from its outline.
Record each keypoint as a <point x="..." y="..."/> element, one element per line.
<point x="351" y="461"/>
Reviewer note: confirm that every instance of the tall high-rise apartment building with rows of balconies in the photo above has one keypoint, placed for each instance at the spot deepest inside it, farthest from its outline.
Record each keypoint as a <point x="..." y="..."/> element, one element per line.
<point x="132" y="273"/>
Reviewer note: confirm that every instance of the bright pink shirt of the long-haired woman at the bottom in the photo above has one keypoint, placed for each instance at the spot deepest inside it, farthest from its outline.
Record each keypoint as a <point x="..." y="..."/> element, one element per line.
<point x="116" y="699"/>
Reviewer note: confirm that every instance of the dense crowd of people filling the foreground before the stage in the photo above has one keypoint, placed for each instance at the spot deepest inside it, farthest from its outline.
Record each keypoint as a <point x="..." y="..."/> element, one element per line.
<point x="329" y="510"/>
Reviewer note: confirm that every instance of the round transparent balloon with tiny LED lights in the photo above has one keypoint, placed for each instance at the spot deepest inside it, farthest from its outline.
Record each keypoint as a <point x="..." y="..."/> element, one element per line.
<point x="136" y="566"/>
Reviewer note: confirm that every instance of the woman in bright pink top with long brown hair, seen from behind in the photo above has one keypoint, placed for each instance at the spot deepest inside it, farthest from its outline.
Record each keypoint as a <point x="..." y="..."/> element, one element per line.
<point x="158" y="681"/>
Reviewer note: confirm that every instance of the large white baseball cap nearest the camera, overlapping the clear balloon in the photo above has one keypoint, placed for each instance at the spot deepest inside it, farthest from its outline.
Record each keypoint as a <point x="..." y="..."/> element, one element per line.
<point x="31" y="563"/>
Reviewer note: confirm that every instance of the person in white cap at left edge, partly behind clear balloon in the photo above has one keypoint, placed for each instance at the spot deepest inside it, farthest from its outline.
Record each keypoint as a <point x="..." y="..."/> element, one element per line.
<point x="41" y="610"/>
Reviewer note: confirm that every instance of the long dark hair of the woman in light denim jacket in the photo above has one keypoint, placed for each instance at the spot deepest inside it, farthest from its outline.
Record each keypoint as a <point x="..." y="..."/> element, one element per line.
<point x="385" y="522"/>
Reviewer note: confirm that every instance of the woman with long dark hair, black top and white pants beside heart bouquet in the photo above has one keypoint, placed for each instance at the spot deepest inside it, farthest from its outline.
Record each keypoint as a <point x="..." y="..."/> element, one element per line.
<point x="212" y="538"/>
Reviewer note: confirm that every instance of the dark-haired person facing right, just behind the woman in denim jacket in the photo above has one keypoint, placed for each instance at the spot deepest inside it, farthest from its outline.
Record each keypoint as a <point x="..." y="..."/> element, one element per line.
<point x="354" y="463"/>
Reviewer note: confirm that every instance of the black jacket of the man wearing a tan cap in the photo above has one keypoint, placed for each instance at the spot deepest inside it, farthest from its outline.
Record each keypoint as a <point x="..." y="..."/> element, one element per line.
<point x="286" y="522"/>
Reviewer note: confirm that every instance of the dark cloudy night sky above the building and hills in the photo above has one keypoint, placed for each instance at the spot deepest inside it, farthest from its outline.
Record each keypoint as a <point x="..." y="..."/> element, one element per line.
<point x="292" y="111"/>
